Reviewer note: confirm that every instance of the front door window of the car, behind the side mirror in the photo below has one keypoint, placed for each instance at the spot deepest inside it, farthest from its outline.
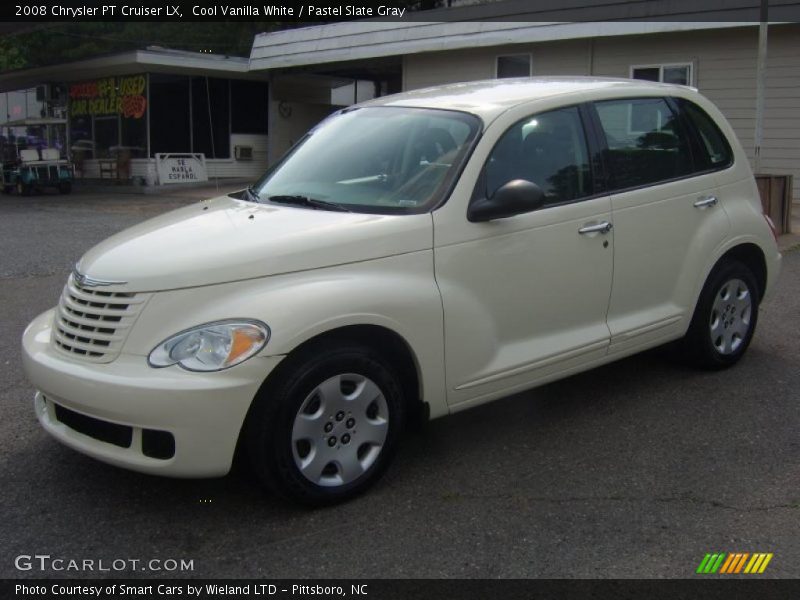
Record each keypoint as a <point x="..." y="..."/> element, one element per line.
<point x="548" y="149"/>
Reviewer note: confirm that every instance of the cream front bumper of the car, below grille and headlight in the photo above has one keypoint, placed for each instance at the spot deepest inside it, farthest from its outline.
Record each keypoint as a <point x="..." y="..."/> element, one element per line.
<point x="204" y="412"/>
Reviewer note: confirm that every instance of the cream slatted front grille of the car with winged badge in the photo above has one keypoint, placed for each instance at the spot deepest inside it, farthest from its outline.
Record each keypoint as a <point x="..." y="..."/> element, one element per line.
<point x="94" y="322"/>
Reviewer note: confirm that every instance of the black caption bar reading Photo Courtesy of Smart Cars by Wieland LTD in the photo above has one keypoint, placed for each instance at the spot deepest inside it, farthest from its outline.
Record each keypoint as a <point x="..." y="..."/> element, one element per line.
<point x="732" y="588"/>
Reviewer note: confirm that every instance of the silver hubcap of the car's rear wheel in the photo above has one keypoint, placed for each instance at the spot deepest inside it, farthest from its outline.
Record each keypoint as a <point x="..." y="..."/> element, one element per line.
<point x="730" y="316"/>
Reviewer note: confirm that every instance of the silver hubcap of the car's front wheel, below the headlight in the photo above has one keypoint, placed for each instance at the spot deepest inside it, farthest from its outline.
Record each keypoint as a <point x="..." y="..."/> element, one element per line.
<point x="340" y="430"/>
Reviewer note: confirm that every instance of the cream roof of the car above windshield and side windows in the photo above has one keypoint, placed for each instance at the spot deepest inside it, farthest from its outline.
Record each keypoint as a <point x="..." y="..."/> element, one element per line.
<point x="491" y="97"/>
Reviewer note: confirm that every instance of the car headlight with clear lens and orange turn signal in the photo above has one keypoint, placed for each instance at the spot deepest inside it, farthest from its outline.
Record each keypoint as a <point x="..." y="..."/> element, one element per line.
<point x="211" y="347"/>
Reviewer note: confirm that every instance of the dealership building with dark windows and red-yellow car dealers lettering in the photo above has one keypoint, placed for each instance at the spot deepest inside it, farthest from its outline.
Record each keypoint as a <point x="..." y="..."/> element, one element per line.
<point x="113" y="114"/>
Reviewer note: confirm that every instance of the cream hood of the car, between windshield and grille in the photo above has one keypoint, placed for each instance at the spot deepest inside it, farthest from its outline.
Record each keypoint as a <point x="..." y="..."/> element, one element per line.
<point x="225" y="239"/>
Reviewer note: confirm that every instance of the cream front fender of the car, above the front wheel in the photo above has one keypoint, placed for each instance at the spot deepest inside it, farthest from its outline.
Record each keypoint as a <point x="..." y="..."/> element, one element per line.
<point x="398" y="293"/>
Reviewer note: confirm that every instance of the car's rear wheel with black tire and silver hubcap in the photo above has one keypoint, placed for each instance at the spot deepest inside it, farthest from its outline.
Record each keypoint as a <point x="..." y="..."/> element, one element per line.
<point x="717" y="339"/>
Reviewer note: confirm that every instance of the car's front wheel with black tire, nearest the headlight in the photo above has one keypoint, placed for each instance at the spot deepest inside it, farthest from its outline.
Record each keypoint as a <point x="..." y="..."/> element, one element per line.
<point x="269" y="429"/>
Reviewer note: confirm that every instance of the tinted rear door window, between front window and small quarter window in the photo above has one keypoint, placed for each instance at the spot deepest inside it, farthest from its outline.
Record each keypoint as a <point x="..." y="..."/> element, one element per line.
<point x="646" y="144"/>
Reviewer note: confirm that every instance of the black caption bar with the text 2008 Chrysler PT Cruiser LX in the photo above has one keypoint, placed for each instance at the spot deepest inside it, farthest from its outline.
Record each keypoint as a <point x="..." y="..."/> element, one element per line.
<point x="26" y="12"/>
